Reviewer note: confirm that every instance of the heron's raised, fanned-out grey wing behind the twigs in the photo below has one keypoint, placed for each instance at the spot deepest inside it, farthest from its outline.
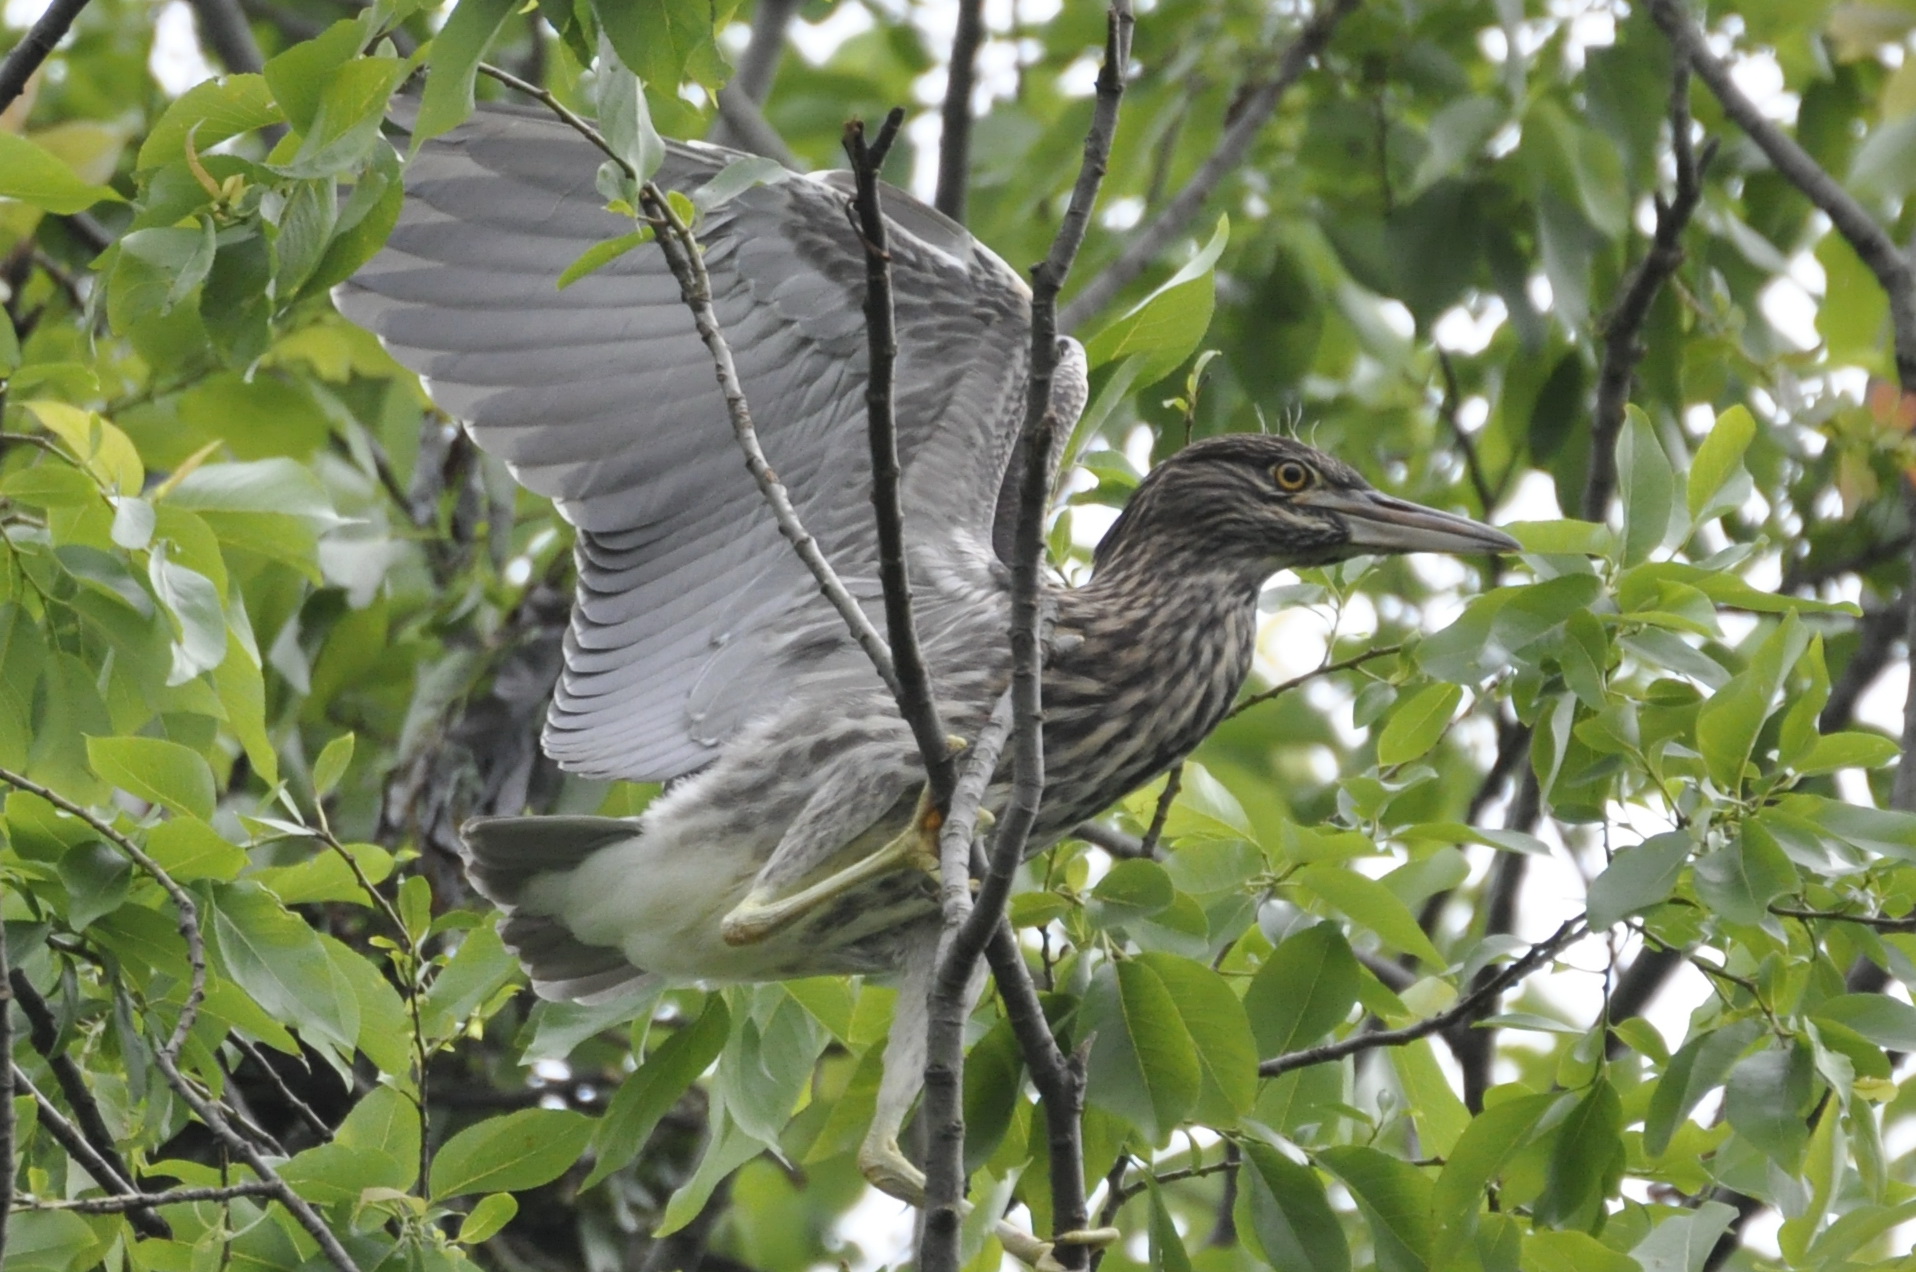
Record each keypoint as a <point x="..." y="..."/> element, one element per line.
<point x="693" y="614"/>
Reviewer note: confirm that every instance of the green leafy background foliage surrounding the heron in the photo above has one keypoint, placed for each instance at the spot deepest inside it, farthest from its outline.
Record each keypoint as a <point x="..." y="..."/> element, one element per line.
<point x="279" y="627"/>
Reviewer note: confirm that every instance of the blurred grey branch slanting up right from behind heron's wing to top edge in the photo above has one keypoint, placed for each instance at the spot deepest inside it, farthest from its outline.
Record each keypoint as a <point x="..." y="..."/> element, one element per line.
<point x="1254" y="110"/>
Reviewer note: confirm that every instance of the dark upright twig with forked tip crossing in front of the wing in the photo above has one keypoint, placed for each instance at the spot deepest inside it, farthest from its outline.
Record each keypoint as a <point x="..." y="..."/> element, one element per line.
<point x="917" y="700"/>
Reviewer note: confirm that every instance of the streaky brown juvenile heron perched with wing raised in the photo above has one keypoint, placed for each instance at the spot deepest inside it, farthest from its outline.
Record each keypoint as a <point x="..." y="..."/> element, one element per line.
<point x="700" y="650"/>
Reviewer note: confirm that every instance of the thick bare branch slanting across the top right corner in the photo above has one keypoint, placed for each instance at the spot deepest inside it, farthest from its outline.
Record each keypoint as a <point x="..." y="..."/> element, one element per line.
<point x="1865" y="237"/>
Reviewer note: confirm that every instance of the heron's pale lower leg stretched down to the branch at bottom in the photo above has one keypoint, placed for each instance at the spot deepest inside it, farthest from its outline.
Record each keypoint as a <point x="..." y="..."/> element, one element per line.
<point x="880" y="1160"/>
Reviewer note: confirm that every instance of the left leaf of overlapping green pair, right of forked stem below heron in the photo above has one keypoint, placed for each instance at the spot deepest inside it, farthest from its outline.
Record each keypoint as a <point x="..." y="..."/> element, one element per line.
<point x="1143" y="1060"/>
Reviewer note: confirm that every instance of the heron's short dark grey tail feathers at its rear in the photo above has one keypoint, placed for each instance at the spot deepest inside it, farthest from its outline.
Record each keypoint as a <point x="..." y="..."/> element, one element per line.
<point x="505" y="855"/>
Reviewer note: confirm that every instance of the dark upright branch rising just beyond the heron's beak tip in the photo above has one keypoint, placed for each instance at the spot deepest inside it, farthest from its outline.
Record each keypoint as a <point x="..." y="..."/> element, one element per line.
<point x="1626" y="323"/>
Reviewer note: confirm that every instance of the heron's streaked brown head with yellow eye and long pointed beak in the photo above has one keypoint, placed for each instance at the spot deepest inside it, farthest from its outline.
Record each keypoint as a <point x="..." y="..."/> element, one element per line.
<point x="1256" y="505"/>
